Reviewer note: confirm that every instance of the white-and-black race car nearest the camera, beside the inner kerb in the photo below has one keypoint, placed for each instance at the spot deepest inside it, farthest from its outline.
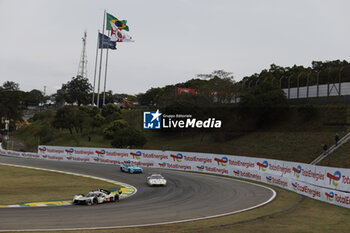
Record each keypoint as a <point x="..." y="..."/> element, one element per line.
<point x="96" y="197"/>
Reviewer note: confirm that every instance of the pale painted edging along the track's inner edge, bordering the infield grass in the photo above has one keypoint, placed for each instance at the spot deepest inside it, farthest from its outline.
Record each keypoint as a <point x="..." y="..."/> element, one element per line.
<point x="132" y="190"/>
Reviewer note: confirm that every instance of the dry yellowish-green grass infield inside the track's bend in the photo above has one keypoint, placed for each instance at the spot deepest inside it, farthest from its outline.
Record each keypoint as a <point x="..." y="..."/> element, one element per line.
<point x="19" y="185"/>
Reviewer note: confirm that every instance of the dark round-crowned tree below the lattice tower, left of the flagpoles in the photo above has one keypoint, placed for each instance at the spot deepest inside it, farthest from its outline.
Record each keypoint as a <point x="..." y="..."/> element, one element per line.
<point x="77" y="91"/>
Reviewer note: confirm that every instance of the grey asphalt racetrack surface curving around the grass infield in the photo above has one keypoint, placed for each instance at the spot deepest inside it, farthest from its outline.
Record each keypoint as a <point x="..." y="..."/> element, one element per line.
<point x="186" y="196"/>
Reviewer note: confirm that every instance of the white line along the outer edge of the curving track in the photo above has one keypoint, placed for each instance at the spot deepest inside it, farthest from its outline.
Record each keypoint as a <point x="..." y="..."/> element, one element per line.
<point x="274" y="194"/>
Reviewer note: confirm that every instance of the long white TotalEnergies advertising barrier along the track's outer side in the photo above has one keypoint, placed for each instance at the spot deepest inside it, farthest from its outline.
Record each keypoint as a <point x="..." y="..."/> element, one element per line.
<point x="328" y="184"/>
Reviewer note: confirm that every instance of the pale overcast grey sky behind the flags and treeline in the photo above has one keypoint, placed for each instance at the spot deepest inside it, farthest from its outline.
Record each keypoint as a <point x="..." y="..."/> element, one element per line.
<point x="41" y="40"/>
